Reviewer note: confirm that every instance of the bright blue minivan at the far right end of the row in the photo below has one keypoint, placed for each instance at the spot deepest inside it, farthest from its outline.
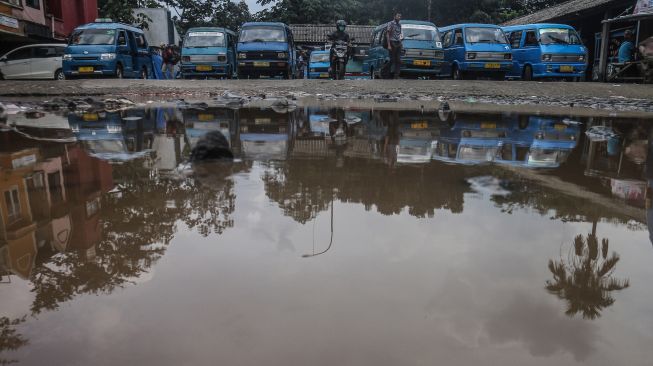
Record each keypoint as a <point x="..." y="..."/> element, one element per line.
<point x="546" y="51"/>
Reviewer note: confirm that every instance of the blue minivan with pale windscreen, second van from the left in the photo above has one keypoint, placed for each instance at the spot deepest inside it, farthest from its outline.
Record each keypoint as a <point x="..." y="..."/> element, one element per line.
<point x="208" y="52"/>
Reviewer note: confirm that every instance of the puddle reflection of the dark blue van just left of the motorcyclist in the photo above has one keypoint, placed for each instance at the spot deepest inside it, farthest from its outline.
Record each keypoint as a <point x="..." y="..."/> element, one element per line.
<point x="263" y="133"/>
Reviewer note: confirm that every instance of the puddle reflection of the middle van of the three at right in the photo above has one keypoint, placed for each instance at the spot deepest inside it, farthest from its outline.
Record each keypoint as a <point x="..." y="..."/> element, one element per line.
<point x="472" y="140"/>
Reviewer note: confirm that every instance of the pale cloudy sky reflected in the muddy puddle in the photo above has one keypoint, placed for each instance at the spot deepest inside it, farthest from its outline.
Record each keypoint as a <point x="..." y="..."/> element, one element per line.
<point x="393" y="290"/>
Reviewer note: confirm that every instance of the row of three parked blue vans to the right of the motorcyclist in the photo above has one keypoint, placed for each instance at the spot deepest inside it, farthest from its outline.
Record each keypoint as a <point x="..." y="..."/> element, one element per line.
<point x="483" y="50"/>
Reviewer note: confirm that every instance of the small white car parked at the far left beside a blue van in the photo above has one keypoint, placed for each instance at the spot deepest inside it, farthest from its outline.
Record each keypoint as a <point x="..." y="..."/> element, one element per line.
<point x="35" y="61"/>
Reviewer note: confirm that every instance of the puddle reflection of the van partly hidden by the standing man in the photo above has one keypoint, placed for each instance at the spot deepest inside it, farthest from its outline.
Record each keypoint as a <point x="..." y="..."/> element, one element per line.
<point x="418" y="135"/>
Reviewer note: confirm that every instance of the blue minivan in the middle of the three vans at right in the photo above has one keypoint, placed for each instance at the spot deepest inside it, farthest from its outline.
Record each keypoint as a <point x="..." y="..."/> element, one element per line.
<point x="472" y="50"/>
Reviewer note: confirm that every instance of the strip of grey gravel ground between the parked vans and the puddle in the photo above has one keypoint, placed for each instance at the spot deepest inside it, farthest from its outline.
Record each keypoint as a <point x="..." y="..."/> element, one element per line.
<point x="589" y="98"/>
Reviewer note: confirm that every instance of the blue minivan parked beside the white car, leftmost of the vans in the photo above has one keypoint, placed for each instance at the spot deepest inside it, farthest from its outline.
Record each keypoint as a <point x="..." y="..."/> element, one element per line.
<point x="106" y="48"/>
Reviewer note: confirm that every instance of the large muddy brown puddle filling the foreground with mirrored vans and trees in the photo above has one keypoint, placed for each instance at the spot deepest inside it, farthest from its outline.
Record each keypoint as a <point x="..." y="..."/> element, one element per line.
<point x="323" y="236"/>
